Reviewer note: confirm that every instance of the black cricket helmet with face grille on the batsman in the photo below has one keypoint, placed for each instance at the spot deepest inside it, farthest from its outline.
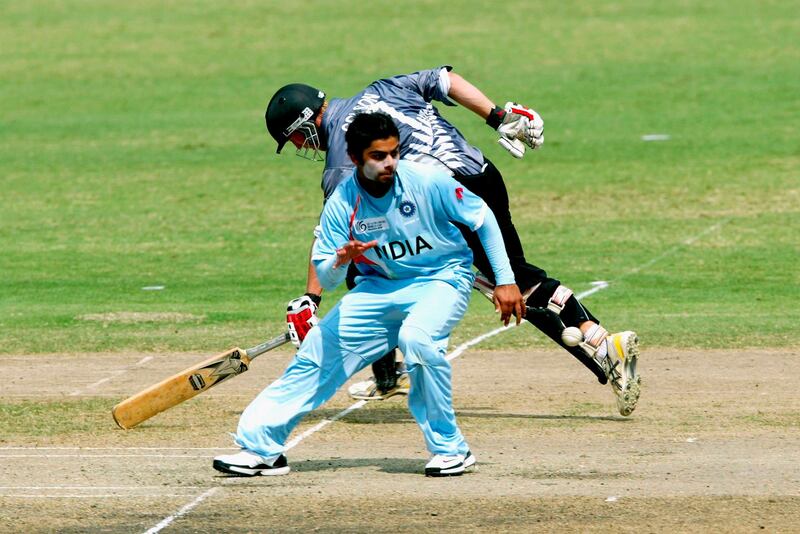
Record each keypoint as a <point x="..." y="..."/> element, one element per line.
<point x="293" y="108"/>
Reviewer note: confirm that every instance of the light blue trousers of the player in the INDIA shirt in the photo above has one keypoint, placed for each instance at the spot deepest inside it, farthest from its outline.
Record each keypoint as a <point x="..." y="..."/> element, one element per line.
<point x="376" y="316"/>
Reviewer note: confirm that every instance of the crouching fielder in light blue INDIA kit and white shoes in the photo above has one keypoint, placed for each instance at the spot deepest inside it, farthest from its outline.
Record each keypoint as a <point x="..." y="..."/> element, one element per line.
<point x="395" y="222"/>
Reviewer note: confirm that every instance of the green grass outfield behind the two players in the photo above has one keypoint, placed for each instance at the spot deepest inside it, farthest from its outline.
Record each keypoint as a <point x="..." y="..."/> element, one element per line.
<point x="133" y="154"/>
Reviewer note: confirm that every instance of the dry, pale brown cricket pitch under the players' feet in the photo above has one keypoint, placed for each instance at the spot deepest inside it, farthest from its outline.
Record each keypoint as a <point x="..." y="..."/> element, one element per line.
<point x="713" y="446"/>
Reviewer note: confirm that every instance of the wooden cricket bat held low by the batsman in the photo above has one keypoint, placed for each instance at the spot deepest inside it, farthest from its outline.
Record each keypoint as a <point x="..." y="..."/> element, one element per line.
<point x="189" y="383"/>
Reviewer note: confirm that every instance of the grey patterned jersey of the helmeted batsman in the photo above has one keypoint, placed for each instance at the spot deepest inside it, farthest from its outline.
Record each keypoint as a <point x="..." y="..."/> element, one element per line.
<point x="425" y="135"/>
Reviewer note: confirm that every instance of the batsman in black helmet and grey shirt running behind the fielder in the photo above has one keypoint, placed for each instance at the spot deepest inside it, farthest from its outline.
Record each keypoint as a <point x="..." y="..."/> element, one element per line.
<point x="302" y="115"/>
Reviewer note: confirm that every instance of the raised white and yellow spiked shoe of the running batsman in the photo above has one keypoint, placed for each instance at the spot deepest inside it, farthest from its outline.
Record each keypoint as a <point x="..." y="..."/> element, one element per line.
<point x="620" y="366"/>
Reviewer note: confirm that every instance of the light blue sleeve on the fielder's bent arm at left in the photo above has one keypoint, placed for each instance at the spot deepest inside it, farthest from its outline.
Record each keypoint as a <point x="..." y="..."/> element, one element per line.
<point x="333" y="233"/>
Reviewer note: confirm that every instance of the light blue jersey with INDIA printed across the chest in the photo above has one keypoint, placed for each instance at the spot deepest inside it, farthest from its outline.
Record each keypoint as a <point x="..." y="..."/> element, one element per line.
<point x="412" y="223"/>
